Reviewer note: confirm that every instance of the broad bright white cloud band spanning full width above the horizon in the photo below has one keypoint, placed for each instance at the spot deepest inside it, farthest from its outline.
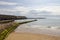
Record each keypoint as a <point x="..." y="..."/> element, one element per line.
<point x="34" y="12"/>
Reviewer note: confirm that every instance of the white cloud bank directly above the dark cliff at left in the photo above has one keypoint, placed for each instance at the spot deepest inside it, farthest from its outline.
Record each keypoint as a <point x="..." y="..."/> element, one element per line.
<point x="19" y="10"/>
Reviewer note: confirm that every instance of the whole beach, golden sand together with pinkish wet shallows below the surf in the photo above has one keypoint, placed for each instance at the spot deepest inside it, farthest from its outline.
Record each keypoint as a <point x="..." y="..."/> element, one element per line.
<point x="23" y="33"/>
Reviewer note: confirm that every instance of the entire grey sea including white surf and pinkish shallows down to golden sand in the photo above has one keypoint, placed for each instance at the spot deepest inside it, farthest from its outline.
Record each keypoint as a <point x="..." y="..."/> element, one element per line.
<point x="49" y="25"/>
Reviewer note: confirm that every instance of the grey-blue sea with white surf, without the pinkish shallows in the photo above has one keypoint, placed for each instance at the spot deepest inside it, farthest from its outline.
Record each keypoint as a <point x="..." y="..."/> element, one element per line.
<point x="53" y="23"/>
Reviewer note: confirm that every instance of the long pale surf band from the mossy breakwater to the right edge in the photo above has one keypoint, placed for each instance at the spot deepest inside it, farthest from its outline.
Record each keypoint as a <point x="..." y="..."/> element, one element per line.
<point x="40" y="27"/>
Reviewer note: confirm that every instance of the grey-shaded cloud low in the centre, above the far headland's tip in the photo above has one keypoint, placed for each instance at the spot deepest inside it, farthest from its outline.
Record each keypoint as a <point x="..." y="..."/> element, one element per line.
<point x="36" y="14"/>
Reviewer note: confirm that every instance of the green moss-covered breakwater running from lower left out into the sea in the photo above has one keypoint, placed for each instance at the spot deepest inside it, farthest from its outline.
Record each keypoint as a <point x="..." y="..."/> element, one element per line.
<point x="7" y="31"/>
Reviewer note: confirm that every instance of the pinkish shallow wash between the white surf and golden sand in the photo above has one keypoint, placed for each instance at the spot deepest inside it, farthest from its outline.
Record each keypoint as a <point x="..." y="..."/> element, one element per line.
<point x="46" y="31"/>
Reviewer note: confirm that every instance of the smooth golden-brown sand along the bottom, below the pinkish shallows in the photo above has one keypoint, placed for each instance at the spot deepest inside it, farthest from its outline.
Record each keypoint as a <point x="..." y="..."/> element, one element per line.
<point x="30" y="36"/>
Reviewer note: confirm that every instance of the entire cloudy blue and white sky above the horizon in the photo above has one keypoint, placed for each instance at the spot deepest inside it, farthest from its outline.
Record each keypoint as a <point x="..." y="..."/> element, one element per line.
<point x="30" y="8"/>
